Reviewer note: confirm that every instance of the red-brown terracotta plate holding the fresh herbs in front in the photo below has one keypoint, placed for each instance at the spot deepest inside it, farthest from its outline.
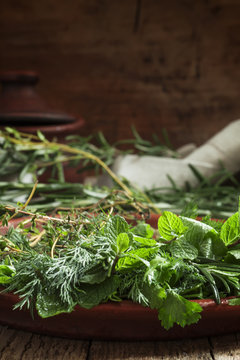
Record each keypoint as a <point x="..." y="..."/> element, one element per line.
<point x="120" y="321"/>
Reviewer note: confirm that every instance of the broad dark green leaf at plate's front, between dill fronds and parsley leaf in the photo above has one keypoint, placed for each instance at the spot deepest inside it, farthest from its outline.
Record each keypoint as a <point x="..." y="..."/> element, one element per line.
<point x="92" y="295"/>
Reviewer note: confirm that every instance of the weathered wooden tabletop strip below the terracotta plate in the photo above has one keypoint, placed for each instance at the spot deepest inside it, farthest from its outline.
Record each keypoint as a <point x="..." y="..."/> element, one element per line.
<point x="20" y="345"/>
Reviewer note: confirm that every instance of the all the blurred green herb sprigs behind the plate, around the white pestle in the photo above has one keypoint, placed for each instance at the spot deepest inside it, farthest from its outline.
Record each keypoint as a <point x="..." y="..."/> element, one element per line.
<point x="22" y="154"/>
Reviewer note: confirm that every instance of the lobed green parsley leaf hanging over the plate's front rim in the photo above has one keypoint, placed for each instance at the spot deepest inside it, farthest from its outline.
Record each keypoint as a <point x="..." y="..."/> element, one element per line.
<point x="177" y="310"/>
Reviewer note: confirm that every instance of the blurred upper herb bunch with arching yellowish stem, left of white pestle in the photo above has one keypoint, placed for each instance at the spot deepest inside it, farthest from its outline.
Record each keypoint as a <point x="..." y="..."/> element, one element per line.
<point x="22" y="153"/>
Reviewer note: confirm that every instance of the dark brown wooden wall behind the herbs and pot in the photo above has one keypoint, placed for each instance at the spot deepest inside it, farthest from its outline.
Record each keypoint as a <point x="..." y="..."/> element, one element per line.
<point x="155" y="64"/>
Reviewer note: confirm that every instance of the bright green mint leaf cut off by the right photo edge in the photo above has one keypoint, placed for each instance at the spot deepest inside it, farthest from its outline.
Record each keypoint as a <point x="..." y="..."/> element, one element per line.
<point x="230" y="231"/>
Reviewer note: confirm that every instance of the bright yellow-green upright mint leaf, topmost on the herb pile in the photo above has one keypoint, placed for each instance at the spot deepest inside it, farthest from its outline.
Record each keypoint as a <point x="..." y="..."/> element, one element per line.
<point x="170" y="225"/>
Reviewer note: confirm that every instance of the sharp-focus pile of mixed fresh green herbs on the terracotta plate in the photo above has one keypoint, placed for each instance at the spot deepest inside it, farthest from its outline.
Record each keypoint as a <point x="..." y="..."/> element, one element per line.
<point x="56" y="263"/>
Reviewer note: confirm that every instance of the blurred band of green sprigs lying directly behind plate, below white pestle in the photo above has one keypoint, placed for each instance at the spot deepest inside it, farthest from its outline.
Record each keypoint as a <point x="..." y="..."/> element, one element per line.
<point x="215" y="199"/>
